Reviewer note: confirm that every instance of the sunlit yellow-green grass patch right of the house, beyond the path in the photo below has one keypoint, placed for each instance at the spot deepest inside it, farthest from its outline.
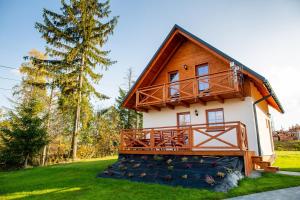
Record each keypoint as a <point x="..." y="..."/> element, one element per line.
<point x="288" y="160"/>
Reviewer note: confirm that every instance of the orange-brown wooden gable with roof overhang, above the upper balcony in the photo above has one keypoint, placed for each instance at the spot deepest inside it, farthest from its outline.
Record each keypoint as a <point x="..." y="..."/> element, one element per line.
<point x="182" y="48"/>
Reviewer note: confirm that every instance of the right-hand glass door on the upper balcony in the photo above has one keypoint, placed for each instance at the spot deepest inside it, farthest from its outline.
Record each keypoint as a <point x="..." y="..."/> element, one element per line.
<point x="203" y="80"/>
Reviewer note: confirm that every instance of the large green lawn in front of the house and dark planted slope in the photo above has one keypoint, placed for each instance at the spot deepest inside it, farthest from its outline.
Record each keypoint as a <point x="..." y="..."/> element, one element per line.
<point x="78" y="181"/>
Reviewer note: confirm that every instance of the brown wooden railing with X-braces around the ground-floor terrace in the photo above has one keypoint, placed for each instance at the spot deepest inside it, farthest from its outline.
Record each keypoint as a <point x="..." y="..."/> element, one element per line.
<point x="185" y="137"/>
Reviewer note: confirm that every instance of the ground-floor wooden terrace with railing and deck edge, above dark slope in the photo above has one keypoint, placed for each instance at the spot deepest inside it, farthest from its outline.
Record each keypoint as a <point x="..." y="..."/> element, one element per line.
<point x="228" y="138"/>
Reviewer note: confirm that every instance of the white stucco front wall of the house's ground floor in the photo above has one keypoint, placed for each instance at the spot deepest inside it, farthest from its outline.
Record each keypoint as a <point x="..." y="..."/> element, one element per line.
<point x="234" y="110"/>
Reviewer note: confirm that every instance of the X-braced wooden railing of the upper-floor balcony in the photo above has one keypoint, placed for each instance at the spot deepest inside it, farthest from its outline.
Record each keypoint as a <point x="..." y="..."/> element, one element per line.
<point x="196" y="87"/>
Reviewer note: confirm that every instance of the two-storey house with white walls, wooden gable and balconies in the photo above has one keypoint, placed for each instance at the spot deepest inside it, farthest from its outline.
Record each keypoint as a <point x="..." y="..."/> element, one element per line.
<point x="198" y="101"/>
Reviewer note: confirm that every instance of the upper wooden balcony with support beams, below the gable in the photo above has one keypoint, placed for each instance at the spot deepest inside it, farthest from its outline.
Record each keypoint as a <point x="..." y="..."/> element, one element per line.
<point x="217" y="86"/>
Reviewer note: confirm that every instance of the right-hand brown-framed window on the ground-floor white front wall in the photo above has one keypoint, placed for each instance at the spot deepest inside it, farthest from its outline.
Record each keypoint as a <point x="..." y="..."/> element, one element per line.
<point x="215" y="118"/>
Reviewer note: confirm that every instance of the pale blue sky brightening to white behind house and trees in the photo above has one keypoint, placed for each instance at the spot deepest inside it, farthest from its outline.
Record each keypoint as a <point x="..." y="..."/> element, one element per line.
<point x="264" y="35"/>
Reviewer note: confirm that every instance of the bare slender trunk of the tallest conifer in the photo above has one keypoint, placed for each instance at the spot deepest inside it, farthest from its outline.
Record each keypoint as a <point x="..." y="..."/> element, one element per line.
<point x="77" y="116"/>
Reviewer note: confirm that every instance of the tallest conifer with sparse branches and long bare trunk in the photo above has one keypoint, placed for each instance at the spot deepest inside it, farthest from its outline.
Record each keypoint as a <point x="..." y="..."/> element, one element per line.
<point x="76" y="37"/>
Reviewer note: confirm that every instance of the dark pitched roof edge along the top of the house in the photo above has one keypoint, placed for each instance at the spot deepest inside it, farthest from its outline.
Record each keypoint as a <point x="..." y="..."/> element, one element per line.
<point x="220" y="53"/>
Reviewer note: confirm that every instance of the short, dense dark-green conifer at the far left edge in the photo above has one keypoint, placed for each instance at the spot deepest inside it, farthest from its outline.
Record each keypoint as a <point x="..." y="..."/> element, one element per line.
<point x="25" y="135"/>
